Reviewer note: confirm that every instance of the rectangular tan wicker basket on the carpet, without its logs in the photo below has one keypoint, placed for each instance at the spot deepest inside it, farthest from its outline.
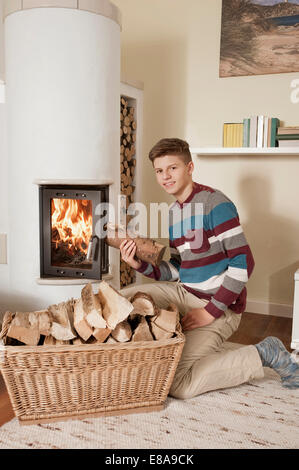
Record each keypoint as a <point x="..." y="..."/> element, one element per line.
<point x="56" y="383"/>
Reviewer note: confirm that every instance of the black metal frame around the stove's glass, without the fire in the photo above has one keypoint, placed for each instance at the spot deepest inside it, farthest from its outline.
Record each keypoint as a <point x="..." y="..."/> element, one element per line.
<point x="99" y="254"/>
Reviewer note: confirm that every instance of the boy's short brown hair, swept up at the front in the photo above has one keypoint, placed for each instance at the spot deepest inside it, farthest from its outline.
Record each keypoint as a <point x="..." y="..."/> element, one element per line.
<point x="171" y="146"/>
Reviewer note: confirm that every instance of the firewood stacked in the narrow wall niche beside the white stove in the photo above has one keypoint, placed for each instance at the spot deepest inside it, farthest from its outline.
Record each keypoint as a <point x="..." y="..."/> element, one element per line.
<point x="127" y="172"/>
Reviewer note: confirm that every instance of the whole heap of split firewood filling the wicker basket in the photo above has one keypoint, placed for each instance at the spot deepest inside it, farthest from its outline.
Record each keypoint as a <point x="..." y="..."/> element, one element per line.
<point x="106" y="316"/>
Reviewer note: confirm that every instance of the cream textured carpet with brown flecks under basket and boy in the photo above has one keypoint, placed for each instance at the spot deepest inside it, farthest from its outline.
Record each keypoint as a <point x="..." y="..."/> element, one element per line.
<point x="257" y="415"/>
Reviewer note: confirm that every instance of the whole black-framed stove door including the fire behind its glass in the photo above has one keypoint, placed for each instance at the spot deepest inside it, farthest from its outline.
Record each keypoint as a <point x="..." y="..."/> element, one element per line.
<point x="69" y="246"/>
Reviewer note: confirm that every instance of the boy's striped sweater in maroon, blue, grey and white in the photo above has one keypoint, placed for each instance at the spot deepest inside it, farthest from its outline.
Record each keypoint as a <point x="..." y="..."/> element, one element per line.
<point x="209" y="253"/>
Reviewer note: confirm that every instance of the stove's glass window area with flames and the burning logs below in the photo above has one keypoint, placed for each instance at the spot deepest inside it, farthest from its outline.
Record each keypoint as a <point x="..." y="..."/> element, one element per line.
<point x="71" y="231"/>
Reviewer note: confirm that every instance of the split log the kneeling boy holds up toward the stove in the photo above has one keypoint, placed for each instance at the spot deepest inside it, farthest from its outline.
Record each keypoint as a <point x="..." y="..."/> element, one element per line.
<point x="147" y="249"/>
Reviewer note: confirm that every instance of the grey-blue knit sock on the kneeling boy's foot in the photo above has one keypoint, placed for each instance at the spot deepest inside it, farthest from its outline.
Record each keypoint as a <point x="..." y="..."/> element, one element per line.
<point x="273" y="354"/>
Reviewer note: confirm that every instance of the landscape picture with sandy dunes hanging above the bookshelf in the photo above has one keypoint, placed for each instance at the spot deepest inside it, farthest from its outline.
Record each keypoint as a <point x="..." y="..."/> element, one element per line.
<point x="259" y="37"/>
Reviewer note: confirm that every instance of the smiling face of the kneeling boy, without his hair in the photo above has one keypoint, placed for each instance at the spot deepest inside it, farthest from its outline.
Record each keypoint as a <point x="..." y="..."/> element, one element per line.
<point x="172" y="173"/>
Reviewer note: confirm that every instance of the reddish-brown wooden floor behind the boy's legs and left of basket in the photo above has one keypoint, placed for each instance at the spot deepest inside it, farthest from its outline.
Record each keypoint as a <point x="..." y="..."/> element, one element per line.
<point x="253" y="328"/>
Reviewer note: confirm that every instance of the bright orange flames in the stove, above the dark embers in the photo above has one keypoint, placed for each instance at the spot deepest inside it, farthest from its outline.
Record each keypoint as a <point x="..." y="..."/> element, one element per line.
<point x="71" y="223"/>
